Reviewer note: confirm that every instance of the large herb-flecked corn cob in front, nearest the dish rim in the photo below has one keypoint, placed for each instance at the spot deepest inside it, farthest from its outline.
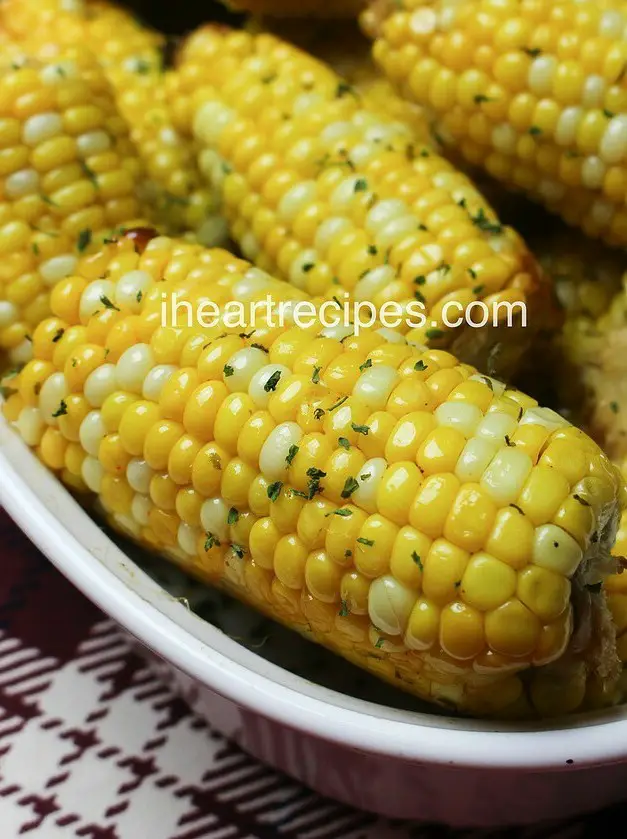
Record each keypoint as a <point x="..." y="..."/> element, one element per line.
<point x="427" y="523"/>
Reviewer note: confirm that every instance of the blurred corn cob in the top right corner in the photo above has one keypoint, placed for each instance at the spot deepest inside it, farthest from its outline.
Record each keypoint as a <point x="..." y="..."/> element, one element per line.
<point x="534" y="92"/>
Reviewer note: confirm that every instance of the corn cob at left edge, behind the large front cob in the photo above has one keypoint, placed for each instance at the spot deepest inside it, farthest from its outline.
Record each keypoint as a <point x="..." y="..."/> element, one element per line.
<point x="68" y="176"/>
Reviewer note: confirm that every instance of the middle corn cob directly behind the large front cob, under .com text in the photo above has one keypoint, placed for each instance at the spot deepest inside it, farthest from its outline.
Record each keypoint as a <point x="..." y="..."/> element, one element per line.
<point x="331" y="196"/>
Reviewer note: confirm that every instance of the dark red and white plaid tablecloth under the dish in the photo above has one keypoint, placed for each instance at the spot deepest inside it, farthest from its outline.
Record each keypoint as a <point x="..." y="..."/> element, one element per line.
<point x="93" y="745"/>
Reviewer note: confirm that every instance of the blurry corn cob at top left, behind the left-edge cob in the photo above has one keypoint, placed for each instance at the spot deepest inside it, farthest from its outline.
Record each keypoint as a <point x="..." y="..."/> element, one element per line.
<point x="132" y="57"/>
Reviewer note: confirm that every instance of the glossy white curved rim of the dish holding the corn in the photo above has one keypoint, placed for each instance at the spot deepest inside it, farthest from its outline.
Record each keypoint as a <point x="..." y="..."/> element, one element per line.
<point x="136" y="602"/>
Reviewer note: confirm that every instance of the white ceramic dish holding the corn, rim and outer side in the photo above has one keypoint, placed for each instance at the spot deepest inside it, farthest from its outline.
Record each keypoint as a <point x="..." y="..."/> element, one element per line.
<point x="400" y="763"/>
